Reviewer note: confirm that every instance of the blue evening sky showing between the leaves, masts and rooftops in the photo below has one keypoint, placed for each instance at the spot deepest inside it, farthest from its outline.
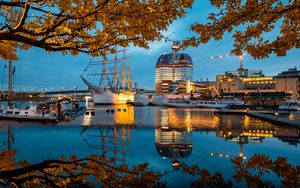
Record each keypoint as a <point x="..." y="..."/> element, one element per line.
<point x="38" y="69"/>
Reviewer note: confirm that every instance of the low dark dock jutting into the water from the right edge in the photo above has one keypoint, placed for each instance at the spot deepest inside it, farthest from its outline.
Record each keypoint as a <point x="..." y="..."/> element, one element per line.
<point x="277" y="118"/>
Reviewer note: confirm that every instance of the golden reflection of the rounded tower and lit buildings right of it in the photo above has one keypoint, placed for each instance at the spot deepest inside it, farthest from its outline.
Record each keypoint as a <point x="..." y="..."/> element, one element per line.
<point x="174" y="129"/>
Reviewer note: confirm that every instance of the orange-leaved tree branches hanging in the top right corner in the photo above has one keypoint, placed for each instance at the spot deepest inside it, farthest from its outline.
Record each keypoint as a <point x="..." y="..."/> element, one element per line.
<point x="262" y="17"/>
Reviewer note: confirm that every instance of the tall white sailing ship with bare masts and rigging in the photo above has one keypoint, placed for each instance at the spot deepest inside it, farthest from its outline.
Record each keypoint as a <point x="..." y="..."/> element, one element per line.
<point x="109" y="80"/>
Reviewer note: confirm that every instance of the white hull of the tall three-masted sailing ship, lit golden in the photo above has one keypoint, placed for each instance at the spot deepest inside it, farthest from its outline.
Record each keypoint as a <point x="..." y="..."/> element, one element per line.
<point x="109" y="98"/>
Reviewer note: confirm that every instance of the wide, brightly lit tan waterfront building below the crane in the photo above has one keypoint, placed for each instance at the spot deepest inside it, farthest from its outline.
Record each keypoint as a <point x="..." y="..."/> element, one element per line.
<point x="250" y="85"/>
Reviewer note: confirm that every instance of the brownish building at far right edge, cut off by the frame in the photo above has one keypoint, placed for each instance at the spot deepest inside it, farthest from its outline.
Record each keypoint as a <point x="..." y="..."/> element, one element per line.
<point x="289" y="82"/>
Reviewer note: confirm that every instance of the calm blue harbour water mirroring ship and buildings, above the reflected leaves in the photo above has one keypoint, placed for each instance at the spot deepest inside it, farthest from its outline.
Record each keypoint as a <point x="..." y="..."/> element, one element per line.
<point x="156" y="135"/>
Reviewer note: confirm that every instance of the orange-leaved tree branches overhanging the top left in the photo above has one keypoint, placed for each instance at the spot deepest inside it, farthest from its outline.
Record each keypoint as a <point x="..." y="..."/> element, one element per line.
<point x="90" y="26"/>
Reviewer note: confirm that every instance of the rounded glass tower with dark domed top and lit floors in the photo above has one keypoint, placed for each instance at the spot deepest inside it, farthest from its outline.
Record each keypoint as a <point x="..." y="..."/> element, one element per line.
<point x="172" y="67"/>
